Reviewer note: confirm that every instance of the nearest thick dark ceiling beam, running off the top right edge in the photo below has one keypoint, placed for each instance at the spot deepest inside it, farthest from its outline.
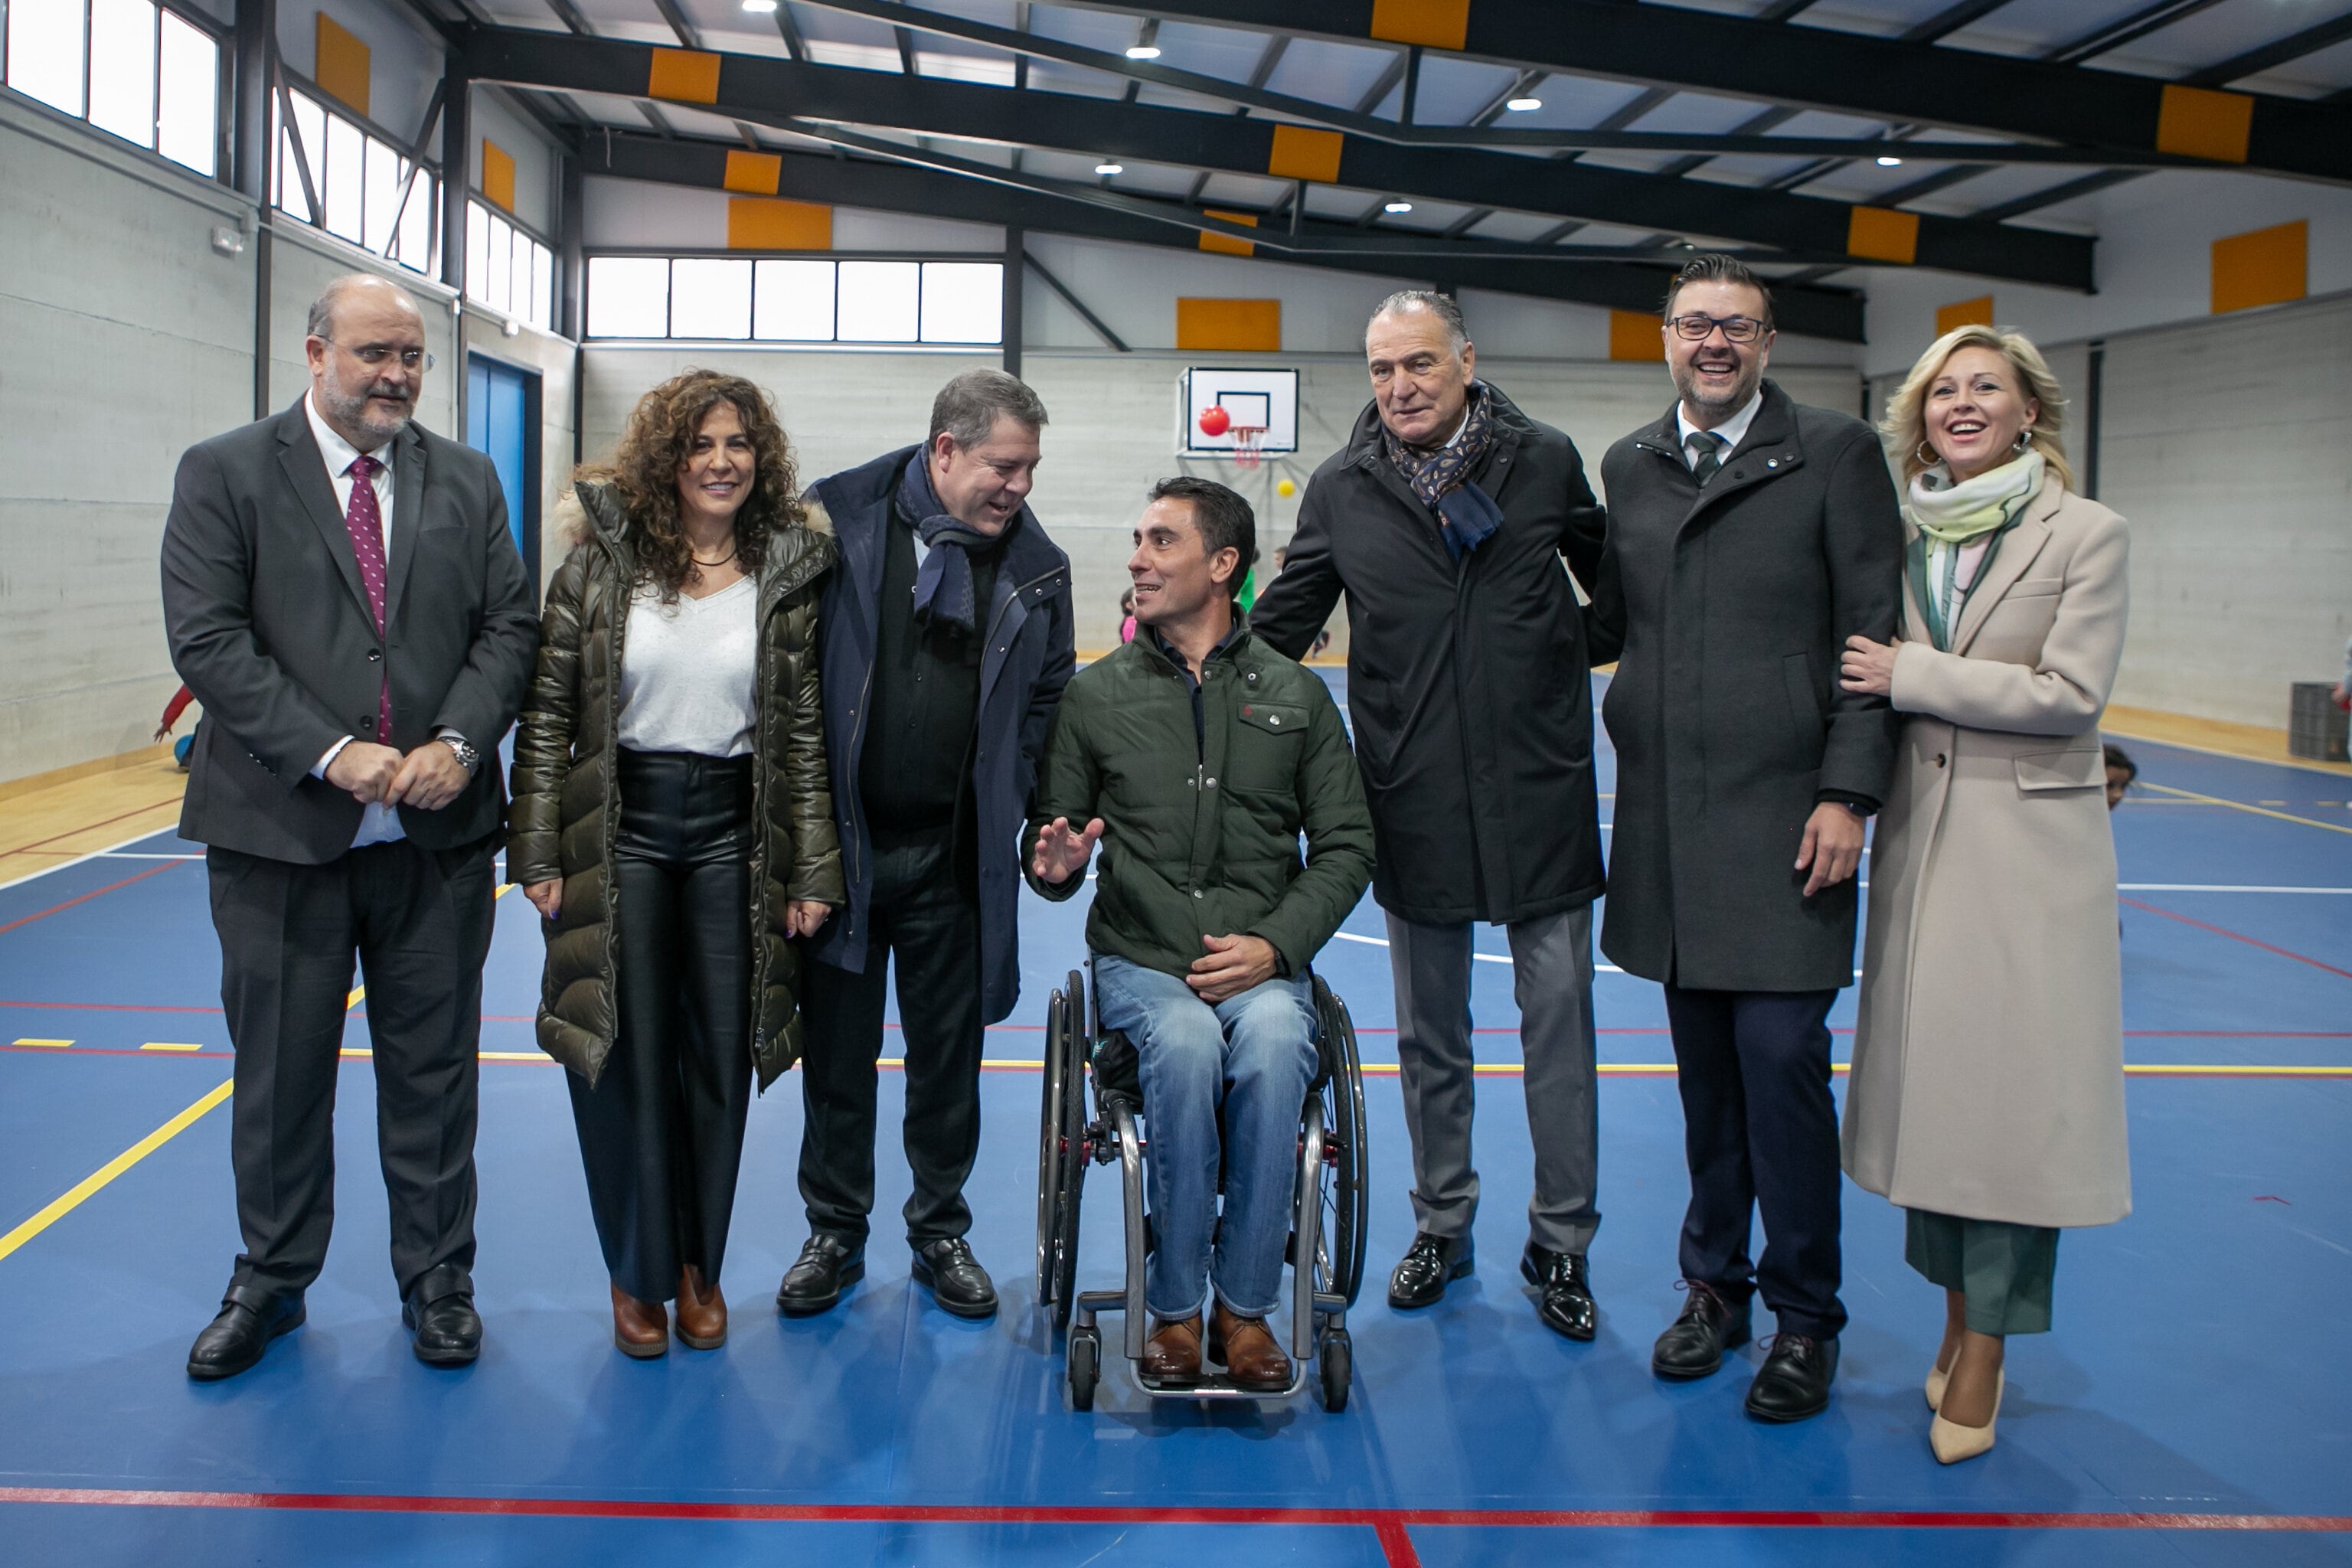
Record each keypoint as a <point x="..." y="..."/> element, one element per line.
<point x="1852" y="74"/>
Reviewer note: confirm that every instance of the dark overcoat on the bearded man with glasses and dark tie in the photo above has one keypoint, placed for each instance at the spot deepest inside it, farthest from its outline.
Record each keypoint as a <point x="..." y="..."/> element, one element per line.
<point x="1732" y="605"/>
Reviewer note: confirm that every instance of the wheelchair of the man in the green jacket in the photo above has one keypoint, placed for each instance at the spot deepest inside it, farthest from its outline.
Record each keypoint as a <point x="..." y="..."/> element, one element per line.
<point x="1328" y="1224"/>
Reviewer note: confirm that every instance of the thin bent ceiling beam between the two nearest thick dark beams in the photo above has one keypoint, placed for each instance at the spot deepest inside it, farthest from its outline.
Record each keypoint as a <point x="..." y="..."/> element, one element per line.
<point x="1361" y="121"/>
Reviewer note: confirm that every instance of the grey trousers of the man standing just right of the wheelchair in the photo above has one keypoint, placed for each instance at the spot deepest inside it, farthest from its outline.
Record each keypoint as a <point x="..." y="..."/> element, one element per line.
<point x="1553" y="984"/>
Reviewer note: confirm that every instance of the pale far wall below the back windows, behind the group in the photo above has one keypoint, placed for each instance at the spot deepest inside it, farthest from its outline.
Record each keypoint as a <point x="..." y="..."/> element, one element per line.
<point x="1114" y="424"/>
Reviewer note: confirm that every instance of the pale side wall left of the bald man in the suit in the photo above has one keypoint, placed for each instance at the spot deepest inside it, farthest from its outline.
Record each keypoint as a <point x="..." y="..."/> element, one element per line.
<point x="128" y="340"/>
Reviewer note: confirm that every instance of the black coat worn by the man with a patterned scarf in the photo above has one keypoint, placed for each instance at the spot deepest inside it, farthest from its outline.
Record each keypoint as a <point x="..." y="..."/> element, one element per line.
<point x="1469" y="683"/>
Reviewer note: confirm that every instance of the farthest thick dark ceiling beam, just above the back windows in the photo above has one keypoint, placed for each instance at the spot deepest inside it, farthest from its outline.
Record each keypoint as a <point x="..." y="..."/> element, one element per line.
<point x="1831" y="314"/>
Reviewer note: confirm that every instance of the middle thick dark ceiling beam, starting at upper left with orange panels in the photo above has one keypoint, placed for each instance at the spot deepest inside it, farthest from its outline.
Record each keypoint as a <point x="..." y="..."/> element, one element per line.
<point x="806" y="98"/>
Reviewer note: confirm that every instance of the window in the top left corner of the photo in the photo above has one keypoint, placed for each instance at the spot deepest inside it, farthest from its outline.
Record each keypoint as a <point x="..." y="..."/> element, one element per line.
<point x="140" y="72"/>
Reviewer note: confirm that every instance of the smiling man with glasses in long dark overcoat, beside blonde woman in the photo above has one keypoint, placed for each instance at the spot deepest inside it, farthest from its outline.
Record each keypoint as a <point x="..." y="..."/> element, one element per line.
<point x="1749" y="537"/>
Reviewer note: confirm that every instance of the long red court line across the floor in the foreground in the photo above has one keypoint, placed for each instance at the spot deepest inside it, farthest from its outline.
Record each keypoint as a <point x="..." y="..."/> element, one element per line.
<point x="1387" y="1522"/>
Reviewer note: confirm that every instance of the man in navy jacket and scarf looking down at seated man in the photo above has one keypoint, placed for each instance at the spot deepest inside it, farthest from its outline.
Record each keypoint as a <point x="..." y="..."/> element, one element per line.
<point x="947" y="650"/>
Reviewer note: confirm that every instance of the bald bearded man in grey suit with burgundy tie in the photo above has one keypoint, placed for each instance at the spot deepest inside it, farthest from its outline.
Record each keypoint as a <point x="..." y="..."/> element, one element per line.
<point x="347" y="603"/>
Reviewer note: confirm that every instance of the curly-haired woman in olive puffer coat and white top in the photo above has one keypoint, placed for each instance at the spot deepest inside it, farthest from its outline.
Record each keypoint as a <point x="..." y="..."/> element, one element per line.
<point x="674" y="826"/>
